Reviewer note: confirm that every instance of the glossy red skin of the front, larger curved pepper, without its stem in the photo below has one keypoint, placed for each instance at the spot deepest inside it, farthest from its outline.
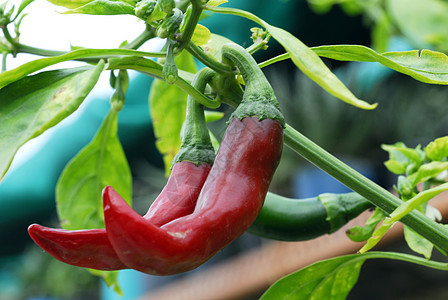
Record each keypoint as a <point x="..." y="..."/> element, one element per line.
<point x="229" y="202"/>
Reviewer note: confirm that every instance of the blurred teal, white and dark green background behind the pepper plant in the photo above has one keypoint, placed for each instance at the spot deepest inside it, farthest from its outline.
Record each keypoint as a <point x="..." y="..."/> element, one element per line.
<point x="408" y="111"/>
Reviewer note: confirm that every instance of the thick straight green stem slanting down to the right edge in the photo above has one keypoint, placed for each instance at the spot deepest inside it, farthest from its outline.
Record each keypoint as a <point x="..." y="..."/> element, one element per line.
<point x="380" y="197"/>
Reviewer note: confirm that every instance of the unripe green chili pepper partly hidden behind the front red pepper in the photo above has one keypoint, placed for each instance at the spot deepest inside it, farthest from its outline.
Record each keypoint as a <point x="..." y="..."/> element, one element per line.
<point x="287" y="219"/>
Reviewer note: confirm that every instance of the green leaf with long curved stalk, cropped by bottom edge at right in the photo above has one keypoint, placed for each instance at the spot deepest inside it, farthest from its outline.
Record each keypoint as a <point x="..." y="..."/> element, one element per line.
<point x="335" y="277"/>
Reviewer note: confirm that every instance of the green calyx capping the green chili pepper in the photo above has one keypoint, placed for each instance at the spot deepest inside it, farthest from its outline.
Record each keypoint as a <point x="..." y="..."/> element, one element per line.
<point x="341" y="208"/>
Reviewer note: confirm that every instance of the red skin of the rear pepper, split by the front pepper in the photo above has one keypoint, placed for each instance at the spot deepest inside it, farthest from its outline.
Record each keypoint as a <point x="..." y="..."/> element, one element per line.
<point x="92" y="249"/>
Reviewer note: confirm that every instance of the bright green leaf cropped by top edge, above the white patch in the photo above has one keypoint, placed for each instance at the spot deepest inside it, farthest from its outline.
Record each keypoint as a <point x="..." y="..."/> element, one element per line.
<point x="104" y="7"/>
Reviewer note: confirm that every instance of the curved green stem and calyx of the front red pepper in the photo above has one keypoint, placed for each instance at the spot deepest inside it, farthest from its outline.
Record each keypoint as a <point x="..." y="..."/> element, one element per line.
<point x="259" y="99"/>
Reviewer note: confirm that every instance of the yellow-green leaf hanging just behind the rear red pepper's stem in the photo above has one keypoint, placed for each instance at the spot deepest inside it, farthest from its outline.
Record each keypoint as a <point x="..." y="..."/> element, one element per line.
<point x="168" y="107"/>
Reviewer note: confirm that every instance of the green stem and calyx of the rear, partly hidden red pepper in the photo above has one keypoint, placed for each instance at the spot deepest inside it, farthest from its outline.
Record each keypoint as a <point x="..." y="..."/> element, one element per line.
<point x="196" y="145"/>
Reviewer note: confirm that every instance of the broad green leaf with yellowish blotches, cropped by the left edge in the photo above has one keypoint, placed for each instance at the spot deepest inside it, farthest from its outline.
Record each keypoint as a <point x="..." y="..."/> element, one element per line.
<point x="33" y="104"/>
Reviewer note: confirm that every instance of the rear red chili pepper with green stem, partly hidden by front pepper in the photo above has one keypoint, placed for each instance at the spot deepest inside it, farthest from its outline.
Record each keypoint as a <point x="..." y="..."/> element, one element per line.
<point x="91" y="248"/>
